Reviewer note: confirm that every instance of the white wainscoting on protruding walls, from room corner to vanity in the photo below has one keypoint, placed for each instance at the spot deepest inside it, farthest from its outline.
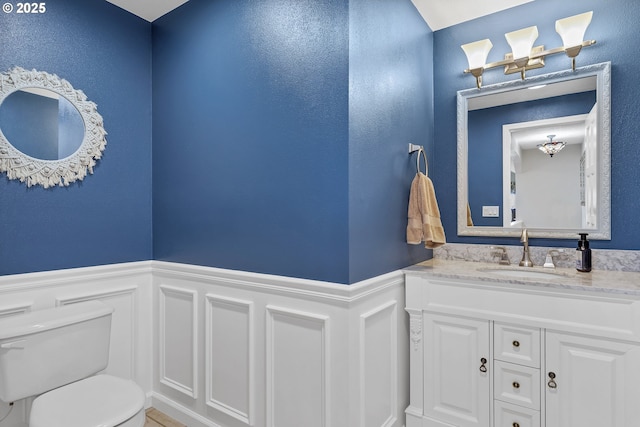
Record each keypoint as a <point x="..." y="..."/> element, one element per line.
<point x="279" y="352"/>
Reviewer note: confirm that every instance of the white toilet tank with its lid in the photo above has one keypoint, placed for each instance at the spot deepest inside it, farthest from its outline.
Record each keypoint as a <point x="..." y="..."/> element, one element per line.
<point x="46" y="349"/>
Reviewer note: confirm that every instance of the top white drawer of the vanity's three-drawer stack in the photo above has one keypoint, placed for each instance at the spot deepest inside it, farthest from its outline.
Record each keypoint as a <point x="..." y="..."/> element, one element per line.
<point x="516" y="344"/>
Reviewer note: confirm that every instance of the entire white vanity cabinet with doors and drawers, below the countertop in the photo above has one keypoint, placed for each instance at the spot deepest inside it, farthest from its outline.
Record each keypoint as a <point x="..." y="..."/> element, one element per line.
<point x="502" y="355"/>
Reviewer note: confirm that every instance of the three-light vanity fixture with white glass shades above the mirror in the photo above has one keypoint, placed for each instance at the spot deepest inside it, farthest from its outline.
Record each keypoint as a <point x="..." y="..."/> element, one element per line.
<point x="524" y="56"/>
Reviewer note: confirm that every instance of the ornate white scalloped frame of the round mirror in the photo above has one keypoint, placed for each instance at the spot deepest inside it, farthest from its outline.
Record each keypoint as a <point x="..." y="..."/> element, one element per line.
<point x="49" y="173"/>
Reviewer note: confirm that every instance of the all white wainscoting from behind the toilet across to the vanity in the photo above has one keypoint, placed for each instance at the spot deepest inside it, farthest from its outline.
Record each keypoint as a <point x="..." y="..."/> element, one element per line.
<point x="221" y="348"/>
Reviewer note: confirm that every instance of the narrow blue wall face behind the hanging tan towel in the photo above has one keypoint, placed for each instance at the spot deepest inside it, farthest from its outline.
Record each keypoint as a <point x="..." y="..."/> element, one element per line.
<point x="390" y="105"/>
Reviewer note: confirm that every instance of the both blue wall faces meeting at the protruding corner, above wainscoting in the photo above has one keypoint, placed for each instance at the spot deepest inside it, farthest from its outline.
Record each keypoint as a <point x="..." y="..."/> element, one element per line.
<point x="268" y="153"/>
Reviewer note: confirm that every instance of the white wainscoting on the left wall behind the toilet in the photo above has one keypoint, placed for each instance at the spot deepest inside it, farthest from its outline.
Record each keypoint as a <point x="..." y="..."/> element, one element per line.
<point x="125" y="287"/>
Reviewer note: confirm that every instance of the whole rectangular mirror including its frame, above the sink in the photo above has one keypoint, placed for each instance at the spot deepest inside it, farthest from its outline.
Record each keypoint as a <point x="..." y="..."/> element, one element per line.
<point x="506" y="181"/>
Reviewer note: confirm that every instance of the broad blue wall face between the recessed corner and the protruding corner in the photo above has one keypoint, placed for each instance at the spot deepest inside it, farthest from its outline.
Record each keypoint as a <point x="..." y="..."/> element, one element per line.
<point x="251" y="136"/>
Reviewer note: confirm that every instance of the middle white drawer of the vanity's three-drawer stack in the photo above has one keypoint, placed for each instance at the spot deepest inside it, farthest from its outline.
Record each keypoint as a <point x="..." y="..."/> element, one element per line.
<point x="517" y="384"/>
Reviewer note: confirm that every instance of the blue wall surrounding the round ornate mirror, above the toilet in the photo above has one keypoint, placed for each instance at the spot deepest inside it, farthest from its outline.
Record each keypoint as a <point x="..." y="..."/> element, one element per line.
<point x="106" y="218"/>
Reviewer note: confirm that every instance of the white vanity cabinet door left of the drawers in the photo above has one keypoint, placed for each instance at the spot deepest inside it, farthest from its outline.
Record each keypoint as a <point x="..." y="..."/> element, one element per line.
<point x="457" y="370"/>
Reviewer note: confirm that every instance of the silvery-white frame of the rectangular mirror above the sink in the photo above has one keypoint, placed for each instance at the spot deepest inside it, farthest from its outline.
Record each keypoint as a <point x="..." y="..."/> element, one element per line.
<point x="602" y="73"/>
